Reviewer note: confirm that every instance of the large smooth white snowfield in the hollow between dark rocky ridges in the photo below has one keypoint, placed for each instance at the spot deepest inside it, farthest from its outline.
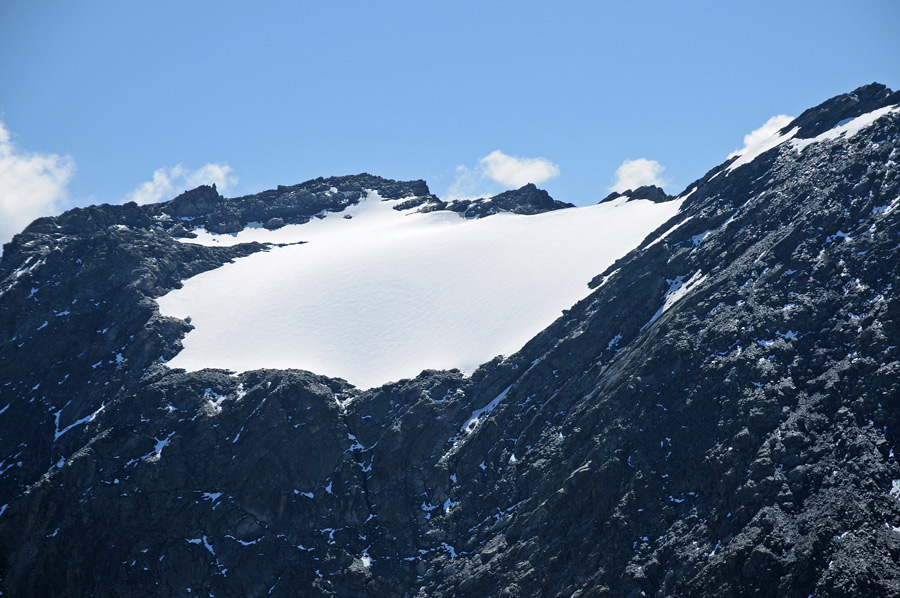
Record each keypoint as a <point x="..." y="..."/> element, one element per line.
<point x="386" y="294"/>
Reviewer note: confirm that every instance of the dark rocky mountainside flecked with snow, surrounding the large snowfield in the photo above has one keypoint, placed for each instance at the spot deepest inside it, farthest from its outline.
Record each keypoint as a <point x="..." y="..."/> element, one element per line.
<point x="718" y="418"/>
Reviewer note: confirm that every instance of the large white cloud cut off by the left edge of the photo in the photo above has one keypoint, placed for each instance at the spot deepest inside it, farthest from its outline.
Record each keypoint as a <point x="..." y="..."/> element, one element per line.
<point x="31" y="185"/>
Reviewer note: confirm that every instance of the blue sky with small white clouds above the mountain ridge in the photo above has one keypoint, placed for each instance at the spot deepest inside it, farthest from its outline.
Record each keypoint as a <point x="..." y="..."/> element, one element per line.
<point x="105" y="101"/>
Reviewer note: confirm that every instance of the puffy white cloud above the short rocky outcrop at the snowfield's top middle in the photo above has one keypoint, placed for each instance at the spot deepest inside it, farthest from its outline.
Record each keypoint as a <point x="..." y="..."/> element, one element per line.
<point x="509" y="171"/>
